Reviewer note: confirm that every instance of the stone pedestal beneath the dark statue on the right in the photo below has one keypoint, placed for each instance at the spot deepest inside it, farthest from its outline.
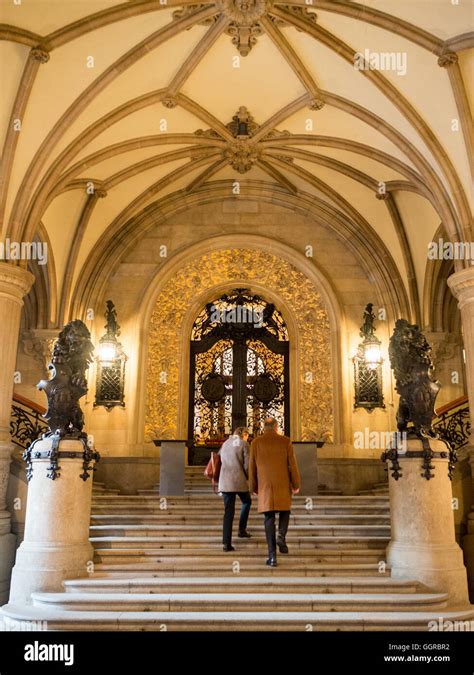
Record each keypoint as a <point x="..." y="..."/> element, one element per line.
<point x="423" y="545"/>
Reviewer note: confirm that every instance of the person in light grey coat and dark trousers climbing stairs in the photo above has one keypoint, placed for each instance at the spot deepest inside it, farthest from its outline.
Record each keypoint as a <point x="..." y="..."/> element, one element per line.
<point x="233" y="481"/>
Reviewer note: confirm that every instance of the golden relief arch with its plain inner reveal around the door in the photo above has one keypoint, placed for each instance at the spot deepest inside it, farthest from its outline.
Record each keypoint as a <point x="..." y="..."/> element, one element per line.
<point x="312" y="363"/>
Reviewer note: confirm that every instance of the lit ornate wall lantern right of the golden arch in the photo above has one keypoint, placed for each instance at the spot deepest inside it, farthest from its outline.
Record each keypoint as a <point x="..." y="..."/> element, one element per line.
<point x="368" y="366"/>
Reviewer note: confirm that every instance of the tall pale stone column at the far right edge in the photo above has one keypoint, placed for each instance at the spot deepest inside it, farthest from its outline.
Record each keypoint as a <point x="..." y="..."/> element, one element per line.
<point x="462" y="286"/>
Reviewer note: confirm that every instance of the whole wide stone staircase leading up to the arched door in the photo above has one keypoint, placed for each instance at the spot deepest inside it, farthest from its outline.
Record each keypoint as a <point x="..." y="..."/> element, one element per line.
<point x="159" y="565"/>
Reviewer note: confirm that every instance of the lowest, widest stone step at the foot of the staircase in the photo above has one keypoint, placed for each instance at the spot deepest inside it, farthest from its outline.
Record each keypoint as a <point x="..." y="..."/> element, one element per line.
<point x="235" y="621"/>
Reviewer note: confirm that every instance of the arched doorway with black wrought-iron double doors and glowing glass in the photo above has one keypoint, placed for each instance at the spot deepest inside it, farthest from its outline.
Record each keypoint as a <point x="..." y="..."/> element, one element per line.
<point x="239" y="367"/>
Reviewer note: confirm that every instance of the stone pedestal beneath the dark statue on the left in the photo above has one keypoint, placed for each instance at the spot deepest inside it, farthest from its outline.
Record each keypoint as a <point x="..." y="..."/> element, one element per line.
<point x="56" y="544"/>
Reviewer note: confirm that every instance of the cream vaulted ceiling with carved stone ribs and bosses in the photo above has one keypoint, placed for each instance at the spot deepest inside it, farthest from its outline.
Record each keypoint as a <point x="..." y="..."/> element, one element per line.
<point x="109" y="107"/>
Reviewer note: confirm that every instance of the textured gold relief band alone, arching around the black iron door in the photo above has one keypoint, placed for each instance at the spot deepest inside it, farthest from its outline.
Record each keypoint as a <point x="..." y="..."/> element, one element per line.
<point x="165" y="386"/>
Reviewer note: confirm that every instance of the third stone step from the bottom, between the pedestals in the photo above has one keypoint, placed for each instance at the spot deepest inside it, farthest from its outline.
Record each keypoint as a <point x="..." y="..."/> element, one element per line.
<point x="237" y="584"/>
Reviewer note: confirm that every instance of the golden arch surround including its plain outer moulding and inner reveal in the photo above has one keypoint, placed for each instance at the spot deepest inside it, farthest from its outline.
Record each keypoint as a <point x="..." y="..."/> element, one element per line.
<point x="271" y="269"/>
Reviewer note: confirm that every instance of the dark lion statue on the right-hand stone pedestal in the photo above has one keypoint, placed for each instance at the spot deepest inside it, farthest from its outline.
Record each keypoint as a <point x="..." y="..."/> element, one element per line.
<point x="410" y="357"/>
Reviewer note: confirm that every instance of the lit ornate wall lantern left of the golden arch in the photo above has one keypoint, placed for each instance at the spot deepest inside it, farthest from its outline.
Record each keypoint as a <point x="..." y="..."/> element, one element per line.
<point x="110" y="364"/>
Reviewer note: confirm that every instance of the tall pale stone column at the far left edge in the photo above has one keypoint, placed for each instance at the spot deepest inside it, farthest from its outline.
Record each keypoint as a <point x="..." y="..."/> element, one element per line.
<point x="15" y="283"/>
